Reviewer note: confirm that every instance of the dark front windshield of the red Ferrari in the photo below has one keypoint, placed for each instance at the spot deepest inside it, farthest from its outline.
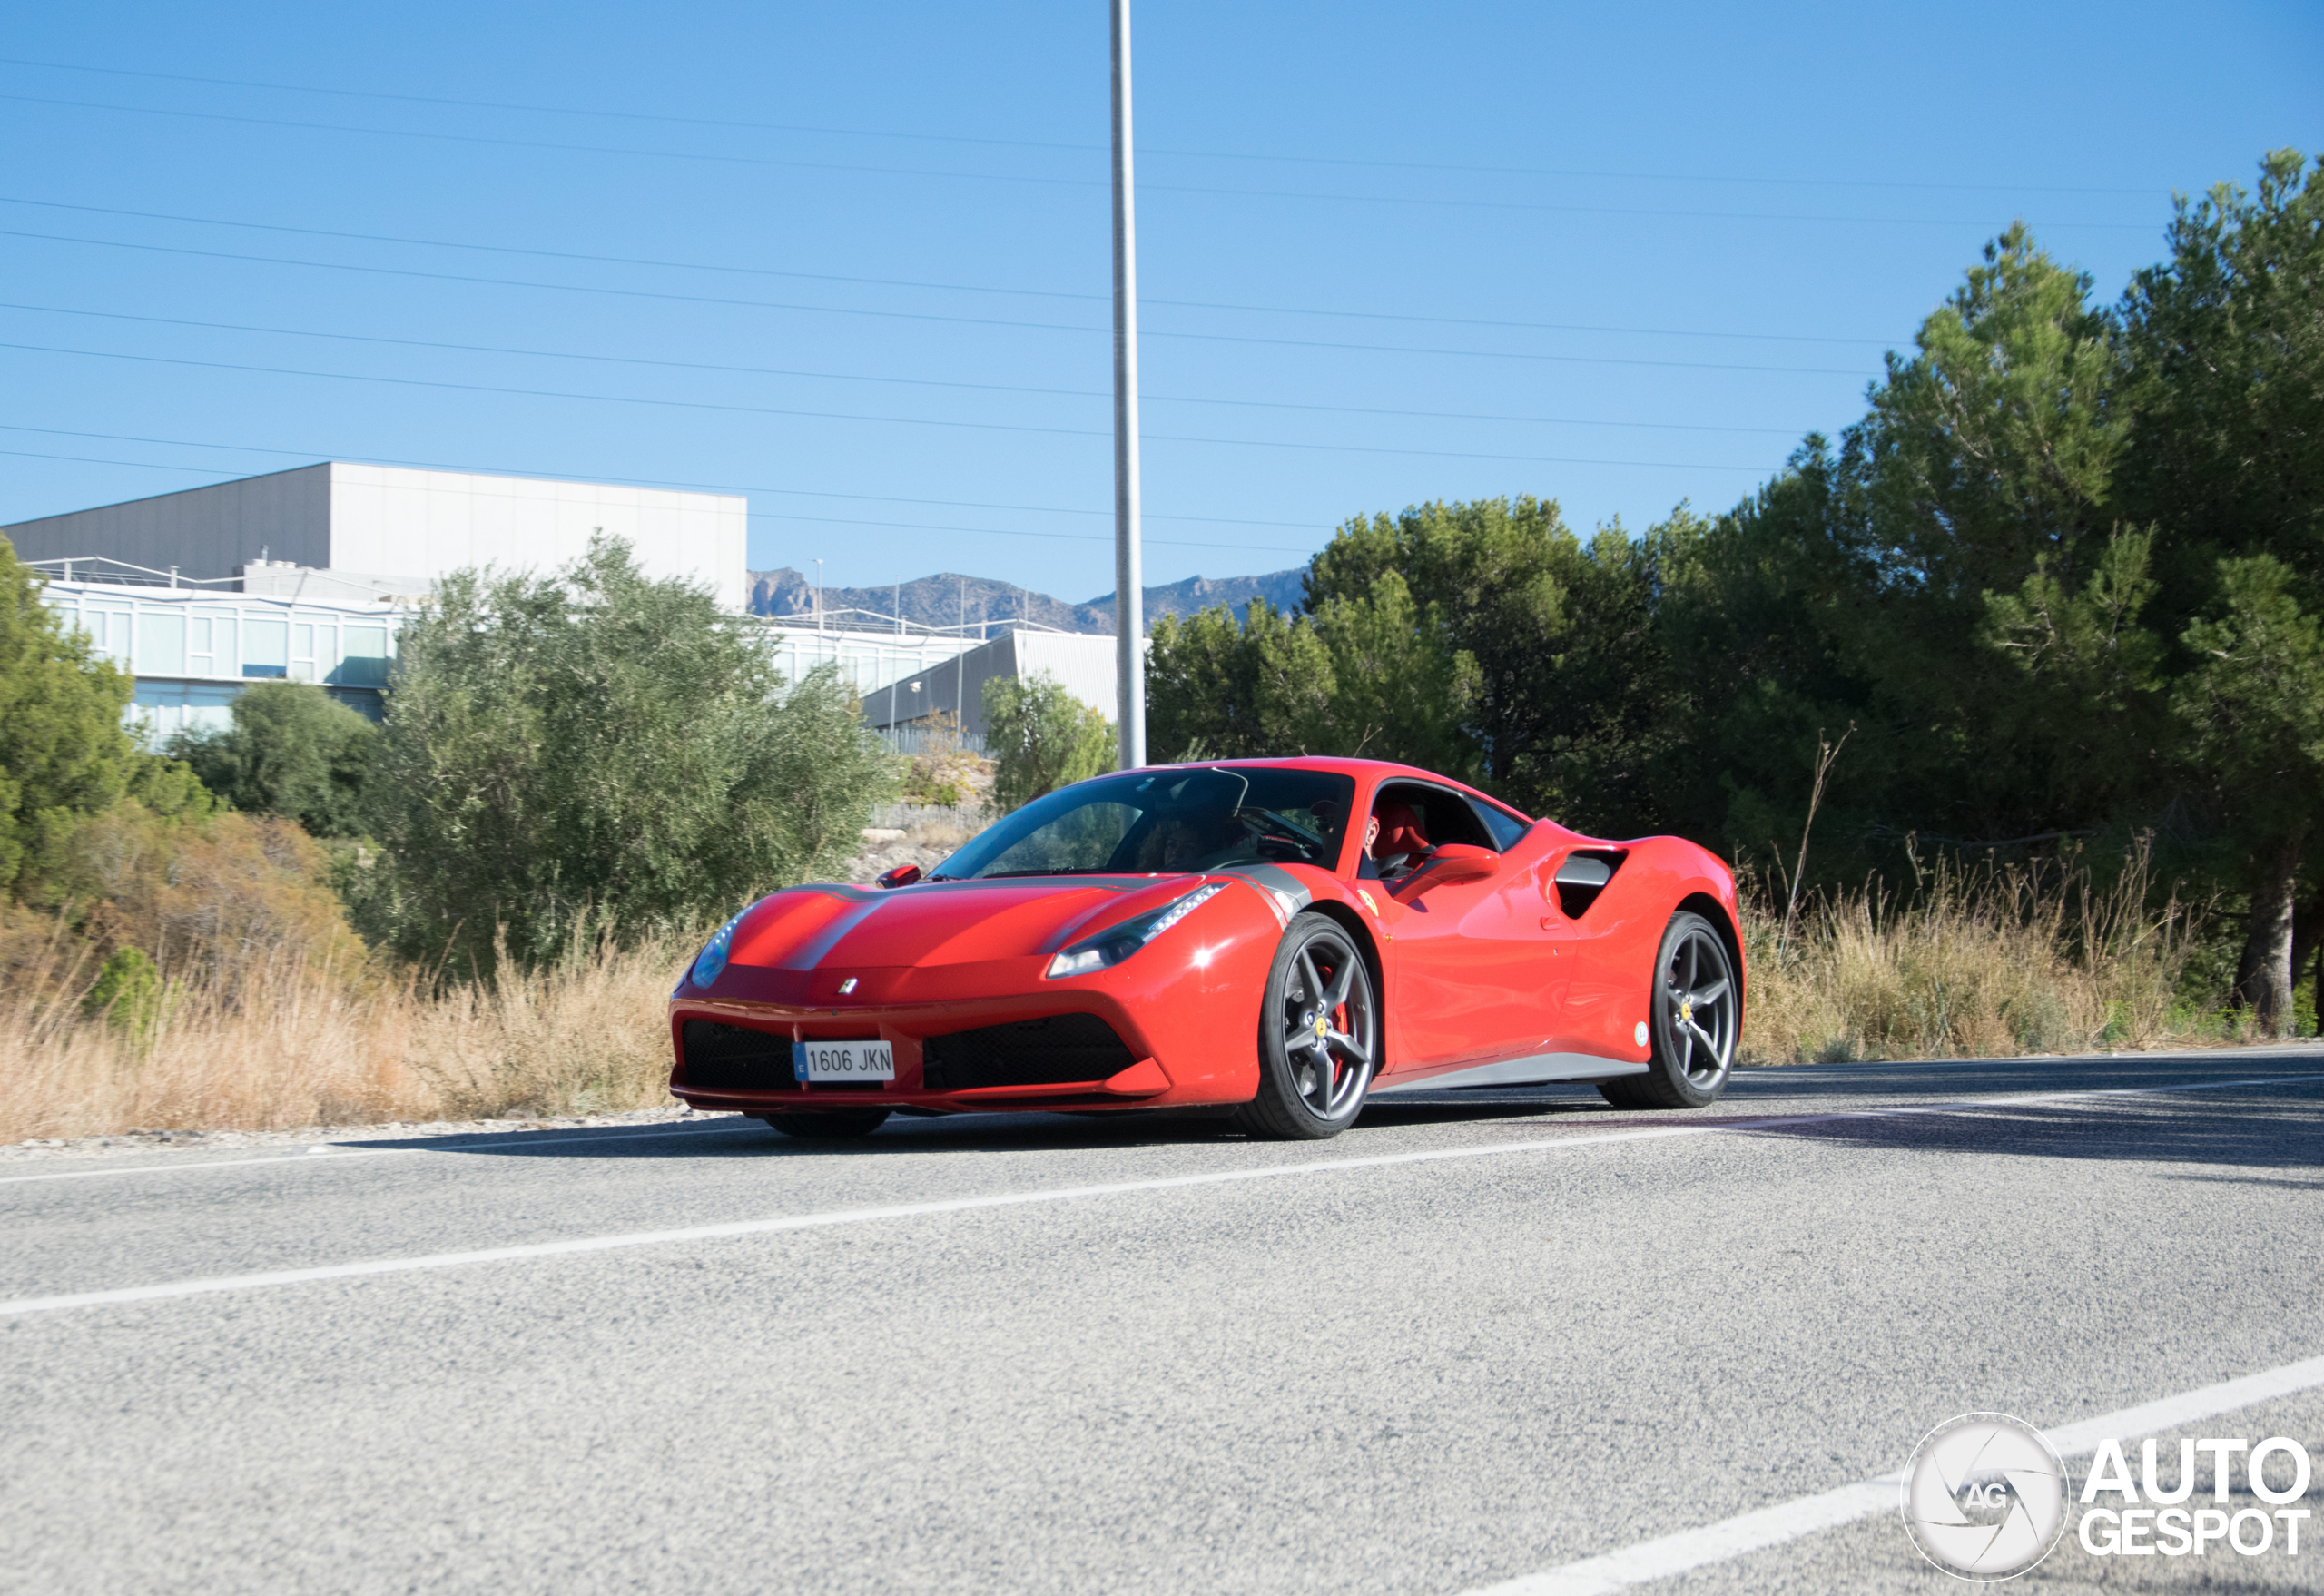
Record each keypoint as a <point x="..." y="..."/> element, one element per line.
<point x="1179" y="819"/>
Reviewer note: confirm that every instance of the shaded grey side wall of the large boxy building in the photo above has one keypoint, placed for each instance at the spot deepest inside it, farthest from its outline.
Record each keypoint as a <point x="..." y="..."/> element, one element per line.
<point x="201" y="531"/>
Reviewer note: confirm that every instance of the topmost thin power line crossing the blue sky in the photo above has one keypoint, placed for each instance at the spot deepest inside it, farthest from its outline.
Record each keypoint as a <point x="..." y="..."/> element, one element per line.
<point x="956" y="138"/>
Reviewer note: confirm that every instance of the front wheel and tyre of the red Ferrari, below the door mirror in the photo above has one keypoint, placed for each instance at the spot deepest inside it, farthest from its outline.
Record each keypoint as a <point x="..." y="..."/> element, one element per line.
<point x="1319" y="1037"/>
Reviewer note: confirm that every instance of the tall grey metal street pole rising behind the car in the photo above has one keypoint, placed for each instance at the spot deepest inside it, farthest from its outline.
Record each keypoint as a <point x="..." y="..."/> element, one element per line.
<point x="1128" y="561"/>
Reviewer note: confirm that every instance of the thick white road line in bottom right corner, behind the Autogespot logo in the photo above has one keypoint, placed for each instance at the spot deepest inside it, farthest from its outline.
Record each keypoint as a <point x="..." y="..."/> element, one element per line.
<point x="1809" y="1516"/>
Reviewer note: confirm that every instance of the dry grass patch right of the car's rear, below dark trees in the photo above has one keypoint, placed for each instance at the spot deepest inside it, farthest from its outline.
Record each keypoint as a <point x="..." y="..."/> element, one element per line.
<point x="1984" y="963"/>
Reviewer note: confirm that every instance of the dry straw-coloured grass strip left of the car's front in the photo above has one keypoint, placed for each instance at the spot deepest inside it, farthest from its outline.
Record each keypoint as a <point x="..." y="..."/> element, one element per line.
<point x="303" y="1044"/>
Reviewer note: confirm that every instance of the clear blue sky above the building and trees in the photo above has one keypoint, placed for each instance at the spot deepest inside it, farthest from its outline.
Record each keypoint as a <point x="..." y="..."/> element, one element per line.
<point x="854" y="259"/>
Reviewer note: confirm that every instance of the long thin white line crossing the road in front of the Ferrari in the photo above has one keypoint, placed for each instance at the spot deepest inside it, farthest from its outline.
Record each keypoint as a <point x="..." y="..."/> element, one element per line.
<point x="1063" y="1195"/>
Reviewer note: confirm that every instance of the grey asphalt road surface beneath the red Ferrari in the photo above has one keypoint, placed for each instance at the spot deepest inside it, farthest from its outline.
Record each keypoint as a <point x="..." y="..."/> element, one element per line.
<point x="1468" y="1342"/>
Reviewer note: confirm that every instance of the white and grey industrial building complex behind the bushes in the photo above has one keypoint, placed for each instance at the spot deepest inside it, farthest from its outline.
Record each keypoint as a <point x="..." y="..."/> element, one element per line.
<point x="306" y="575"/>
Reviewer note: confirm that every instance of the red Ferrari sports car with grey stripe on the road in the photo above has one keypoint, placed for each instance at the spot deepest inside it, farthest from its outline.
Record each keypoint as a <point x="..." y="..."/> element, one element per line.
<point x="1286" y="937"/>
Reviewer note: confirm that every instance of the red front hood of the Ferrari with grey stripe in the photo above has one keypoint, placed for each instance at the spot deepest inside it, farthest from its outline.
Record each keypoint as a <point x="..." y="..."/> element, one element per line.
<point x="938" y="921"/>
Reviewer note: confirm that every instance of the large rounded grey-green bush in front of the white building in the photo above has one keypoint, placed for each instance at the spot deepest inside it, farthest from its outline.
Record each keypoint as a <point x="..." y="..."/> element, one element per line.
<point x="598" y="754"/>
